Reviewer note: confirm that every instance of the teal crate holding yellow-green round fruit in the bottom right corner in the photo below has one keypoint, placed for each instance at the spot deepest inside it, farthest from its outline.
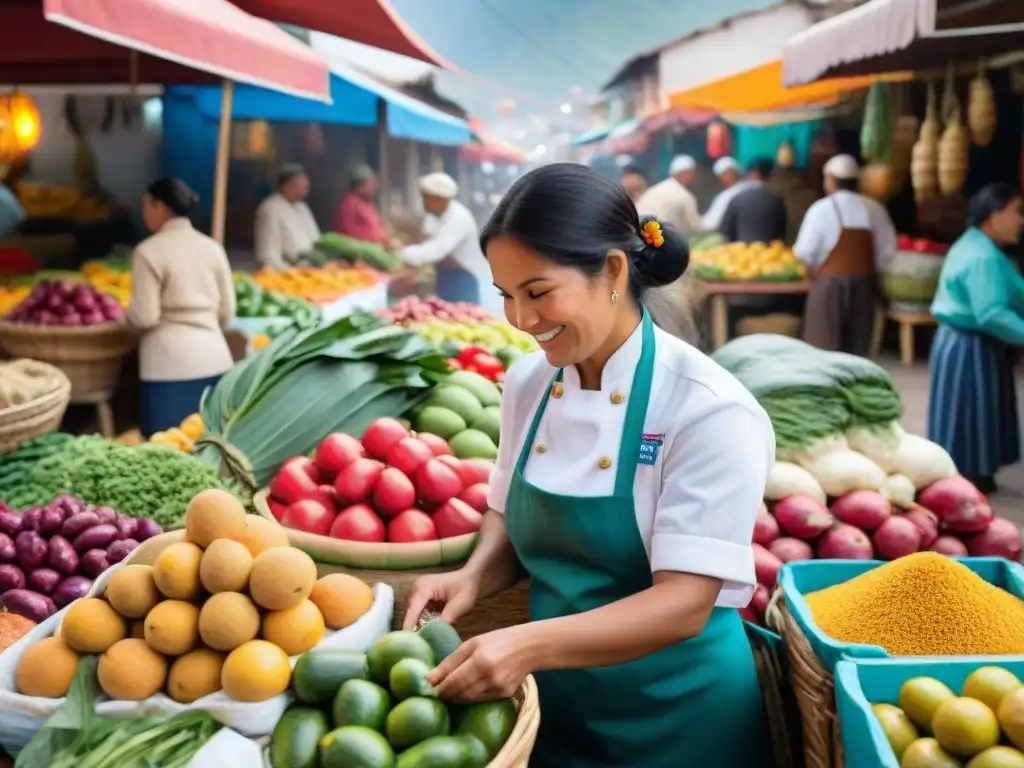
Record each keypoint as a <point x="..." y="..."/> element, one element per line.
<point x="865" y="682"/>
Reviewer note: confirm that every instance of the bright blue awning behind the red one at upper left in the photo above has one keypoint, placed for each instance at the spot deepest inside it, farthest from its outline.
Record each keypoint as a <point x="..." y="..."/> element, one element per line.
<point x="355" y="99"/>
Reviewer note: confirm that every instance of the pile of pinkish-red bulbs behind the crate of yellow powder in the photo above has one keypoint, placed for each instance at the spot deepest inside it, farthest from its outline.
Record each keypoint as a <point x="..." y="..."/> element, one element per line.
<point x="951" y="517"/>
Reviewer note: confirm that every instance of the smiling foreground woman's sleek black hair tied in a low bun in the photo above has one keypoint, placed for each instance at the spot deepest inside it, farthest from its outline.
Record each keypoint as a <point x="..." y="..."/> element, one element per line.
<point x="575" y="217"/>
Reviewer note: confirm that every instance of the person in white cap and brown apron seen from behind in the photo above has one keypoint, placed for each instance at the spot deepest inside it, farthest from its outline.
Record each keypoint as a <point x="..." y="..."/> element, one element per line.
<point x="845" y="241"/>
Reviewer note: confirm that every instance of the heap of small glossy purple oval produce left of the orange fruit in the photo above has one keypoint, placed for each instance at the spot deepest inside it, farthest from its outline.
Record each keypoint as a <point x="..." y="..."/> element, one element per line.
<point x="50" y="556"/>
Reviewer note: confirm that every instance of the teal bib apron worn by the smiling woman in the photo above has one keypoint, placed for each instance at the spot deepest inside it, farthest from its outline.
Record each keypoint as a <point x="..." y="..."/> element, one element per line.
<point x="695" y="704"/>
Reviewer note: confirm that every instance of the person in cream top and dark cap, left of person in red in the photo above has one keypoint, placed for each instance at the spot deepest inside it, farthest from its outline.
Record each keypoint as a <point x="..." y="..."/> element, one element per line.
<point x="285" y="226"/>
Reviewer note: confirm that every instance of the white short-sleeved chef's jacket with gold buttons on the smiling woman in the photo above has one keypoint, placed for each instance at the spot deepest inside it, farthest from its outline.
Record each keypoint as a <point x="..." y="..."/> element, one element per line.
<point x="697" y="504"/>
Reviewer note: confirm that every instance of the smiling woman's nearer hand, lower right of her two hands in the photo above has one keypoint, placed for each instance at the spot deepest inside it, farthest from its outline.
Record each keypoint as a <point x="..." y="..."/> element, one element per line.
<point x="487" y="667"/>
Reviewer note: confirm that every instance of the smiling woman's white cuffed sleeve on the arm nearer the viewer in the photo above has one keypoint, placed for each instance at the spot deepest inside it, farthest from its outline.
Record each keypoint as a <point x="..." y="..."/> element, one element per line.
<point x="715" y="476"/>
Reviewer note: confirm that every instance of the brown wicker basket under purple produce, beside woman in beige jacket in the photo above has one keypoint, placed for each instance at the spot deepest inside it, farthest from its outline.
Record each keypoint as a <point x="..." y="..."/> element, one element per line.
<point x="90" y="356"/>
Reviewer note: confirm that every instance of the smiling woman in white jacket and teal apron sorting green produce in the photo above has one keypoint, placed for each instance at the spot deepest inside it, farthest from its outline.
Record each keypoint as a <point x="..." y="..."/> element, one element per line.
<point x="630" y="473"/>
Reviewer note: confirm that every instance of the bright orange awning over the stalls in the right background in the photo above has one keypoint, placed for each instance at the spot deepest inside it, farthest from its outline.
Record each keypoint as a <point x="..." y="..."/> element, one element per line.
<point x="761" y="90"/>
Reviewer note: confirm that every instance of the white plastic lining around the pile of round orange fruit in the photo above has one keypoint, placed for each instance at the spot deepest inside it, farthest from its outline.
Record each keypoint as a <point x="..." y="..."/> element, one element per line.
<point x="23" y="716"/>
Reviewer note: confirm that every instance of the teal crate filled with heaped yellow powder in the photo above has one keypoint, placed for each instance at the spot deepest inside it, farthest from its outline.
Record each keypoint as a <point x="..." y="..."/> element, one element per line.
<point x="799" y="579"/>
